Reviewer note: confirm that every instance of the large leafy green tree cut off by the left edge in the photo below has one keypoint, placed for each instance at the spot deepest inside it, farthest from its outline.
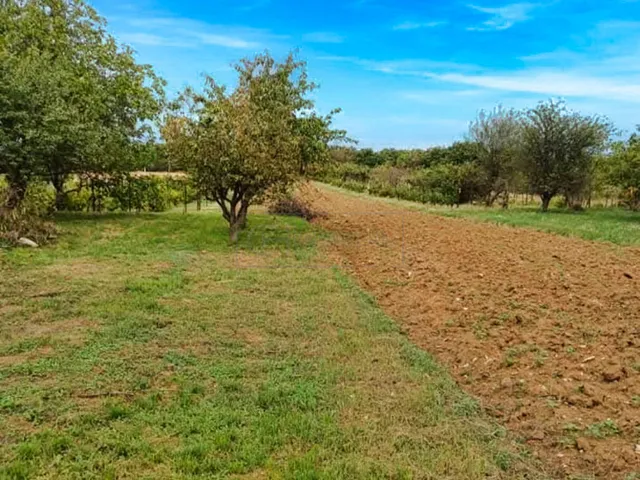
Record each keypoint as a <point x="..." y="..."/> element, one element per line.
<point x="72" y="100"/>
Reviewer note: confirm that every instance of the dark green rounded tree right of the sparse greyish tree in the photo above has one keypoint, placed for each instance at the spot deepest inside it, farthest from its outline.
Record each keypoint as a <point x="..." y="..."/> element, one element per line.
<point x="559" y="148"/>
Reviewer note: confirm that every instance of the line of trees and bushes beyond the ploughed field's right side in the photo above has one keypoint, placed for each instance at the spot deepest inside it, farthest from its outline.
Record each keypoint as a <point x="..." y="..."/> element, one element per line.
<point x="547" y="151"/>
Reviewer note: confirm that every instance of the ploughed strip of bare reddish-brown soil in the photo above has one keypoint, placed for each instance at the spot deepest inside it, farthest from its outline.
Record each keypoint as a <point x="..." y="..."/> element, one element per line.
<point x="543" y="329"/>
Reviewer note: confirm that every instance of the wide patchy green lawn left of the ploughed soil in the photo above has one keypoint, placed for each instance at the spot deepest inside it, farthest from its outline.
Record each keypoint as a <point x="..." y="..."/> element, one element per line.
<point x="144" y="346"/>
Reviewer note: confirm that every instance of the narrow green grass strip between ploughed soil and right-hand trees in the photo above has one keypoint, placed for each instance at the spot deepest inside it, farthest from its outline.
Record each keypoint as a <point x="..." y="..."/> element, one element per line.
<point x="614" y="225"/>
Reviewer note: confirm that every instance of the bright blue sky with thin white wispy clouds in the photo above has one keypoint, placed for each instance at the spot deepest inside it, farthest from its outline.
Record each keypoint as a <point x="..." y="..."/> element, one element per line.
<point x="406" y="74"/>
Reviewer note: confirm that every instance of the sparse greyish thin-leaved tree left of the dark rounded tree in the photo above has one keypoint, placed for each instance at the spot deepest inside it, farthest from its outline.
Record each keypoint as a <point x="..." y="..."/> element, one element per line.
<point x="497" y="136"/>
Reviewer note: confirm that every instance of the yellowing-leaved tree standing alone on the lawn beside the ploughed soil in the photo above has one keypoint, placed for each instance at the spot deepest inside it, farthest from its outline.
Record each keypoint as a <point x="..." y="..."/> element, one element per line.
<point x="255" y="141"/>
